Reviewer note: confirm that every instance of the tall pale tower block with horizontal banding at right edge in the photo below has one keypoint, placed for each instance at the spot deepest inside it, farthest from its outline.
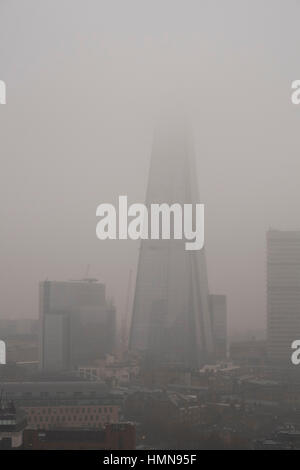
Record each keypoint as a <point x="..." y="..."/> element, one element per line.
<point x="283" y="294"/>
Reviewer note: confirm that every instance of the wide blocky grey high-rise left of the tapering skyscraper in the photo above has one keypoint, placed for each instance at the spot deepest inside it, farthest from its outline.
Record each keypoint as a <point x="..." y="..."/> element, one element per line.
<point x="77" y="324"/>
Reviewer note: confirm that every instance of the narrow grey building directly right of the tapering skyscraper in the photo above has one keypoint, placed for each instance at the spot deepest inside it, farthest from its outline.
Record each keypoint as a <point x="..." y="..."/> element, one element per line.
<point x="218" y="306"/>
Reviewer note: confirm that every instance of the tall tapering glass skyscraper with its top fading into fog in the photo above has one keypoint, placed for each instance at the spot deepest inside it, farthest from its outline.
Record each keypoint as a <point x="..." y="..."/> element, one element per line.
<point x="171" y="319"/>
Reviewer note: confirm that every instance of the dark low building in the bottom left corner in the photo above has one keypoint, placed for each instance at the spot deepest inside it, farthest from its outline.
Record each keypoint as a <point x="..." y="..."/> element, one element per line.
<point x="12" y="425"/>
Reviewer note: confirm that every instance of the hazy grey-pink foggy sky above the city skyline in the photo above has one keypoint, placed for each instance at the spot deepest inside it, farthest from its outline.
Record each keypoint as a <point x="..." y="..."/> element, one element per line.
<point x="85" y="81"/>
